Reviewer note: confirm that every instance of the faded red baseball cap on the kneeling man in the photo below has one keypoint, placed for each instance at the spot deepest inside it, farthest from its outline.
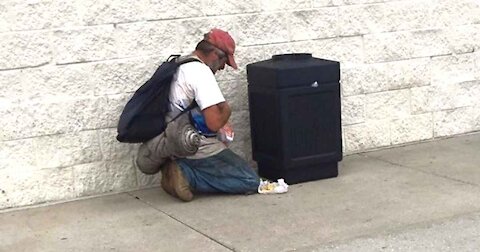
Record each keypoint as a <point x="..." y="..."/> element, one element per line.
<point x="223" y="41"/>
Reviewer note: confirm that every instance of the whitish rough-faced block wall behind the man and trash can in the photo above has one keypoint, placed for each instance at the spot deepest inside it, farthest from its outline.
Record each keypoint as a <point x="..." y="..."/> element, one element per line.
<point x="410" y="72"/>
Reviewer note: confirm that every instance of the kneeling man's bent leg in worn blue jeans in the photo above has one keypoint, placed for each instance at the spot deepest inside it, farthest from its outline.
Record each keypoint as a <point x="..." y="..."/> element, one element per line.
<point x="224" y="172"/>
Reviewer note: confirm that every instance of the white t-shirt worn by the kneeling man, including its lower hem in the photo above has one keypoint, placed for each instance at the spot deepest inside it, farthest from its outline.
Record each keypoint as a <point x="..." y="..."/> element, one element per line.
<point x="195" y="80"/>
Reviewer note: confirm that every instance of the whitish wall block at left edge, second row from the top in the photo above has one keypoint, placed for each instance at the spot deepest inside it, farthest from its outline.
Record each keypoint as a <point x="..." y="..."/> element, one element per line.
<point x="24" y="49"/>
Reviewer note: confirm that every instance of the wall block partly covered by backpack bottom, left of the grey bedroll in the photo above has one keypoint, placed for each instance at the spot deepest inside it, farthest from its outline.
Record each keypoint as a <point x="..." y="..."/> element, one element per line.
<point x="112" y="149"/>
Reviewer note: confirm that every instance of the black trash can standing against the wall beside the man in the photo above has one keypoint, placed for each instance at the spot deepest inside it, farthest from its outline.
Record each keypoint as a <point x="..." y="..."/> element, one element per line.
<point x="295" y="120"/>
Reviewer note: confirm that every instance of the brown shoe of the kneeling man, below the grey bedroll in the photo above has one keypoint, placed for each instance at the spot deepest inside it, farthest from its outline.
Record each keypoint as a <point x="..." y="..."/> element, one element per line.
<point x="174" y="183"/>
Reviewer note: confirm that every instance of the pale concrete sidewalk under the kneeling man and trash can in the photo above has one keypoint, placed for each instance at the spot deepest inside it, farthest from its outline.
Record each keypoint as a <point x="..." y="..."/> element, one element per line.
<point x="422" y="197"/>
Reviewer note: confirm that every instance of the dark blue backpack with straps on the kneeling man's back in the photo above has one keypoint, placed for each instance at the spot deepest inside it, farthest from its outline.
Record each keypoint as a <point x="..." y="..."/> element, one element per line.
<point x="143" y="117"/>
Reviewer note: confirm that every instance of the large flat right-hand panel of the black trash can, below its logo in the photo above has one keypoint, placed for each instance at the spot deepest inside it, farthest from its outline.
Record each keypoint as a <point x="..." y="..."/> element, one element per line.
<point x="312" y="125"/>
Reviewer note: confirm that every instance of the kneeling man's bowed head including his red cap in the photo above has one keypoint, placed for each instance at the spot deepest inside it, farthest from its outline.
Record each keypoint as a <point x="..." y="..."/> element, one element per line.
<point x="217" y="49"/>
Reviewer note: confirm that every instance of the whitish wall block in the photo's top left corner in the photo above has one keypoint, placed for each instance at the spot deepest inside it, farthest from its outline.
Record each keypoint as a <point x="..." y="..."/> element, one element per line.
<point x="35" y="15"/>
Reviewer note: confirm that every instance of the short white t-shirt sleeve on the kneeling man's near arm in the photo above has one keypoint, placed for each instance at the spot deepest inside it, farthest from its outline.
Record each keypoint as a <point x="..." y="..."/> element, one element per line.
<point x="205" y="86"/>
